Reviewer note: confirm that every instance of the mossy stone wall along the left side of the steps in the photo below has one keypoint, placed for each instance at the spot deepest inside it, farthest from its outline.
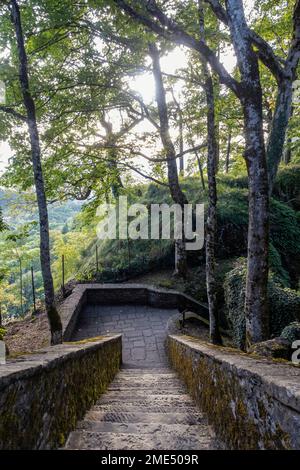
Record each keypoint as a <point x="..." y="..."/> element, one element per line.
<point x="43" y="395"/>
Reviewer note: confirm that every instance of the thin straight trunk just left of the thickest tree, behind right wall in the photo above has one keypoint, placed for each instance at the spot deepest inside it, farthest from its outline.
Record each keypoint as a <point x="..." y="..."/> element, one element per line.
<point x="211" y="223"/>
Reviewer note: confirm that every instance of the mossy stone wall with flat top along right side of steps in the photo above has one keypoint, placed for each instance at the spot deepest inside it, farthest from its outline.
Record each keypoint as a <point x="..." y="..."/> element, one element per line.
<point x="252" y="403"/>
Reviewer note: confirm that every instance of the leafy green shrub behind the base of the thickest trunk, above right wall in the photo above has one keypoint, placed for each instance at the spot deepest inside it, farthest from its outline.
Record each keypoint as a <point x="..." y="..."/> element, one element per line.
<point x="284" y="304"/>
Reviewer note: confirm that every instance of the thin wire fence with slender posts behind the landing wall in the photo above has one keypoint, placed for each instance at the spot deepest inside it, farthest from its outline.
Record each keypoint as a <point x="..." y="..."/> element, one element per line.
<point x="115" y="264"/>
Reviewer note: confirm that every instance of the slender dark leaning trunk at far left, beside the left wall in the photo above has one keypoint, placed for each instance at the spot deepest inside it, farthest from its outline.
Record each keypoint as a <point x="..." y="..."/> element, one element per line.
<point x="53" y="316"/>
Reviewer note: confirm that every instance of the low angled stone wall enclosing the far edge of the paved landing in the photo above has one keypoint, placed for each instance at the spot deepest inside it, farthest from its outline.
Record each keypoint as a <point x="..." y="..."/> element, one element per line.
<point x="118" y="294"/>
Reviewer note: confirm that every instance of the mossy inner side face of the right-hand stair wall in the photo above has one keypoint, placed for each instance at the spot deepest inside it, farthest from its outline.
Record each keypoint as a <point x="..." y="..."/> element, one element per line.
<point x="243" y="413"/>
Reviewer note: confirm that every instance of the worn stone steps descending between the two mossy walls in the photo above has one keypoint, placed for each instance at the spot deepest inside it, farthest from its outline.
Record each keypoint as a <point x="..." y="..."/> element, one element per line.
<point x="145" y="409"/>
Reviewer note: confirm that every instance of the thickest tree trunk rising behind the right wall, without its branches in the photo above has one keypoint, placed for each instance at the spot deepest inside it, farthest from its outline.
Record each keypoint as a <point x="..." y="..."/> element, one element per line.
<point x="256" y="305"/>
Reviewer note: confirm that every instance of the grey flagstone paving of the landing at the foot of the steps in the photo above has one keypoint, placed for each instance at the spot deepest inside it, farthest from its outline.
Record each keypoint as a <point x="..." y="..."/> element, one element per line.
<point x="143" y="329"/>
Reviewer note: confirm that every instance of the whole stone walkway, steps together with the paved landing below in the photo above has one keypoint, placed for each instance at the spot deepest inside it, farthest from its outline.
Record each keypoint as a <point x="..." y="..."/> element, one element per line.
<point x="146" y="406"/>
